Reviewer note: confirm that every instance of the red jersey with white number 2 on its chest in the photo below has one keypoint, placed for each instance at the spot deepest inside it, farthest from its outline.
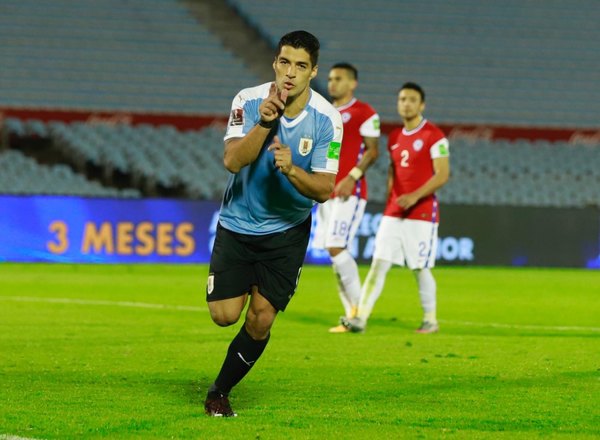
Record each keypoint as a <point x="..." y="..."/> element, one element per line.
<point x="412" y="153"/>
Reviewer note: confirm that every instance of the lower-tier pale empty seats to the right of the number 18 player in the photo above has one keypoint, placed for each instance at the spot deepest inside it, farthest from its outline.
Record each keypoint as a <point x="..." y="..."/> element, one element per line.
<point x="519" y="173"/>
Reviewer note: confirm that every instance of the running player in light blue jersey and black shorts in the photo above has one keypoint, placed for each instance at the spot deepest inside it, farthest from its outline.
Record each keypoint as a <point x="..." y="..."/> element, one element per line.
<point x="282" y="148"/>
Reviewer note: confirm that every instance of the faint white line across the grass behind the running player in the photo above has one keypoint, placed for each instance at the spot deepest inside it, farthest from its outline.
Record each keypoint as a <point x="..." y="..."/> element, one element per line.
<point x="157" y="306"/>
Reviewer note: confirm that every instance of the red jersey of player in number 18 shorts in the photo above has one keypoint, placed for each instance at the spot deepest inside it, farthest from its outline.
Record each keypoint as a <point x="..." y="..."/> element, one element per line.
<point x="360" y="120"/>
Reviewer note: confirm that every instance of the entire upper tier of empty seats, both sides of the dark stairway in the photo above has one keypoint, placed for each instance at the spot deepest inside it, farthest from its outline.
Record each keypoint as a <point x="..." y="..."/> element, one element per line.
<point x="512" y="62"/>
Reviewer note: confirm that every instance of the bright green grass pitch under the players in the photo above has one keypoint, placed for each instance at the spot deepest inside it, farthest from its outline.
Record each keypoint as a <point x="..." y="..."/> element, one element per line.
<point x="86" y="353"/>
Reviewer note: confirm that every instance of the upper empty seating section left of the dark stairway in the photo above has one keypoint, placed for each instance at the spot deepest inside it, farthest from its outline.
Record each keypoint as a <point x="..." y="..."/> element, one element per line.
<point x="139" y="55"/>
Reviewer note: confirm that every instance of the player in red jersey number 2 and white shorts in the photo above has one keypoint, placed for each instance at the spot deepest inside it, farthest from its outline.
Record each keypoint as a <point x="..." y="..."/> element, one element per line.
<point x="420" y="165"/>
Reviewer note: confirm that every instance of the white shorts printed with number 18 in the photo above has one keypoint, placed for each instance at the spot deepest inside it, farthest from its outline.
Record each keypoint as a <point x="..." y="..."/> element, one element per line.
<point x="337" y="222"/>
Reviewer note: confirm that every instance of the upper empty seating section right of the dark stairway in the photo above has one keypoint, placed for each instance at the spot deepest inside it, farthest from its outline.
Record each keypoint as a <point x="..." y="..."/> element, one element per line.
<point x="514" y="62"/>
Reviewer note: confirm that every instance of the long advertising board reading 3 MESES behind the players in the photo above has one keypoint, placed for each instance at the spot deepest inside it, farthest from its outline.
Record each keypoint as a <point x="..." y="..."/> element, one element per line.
<point x="89" y="230"/>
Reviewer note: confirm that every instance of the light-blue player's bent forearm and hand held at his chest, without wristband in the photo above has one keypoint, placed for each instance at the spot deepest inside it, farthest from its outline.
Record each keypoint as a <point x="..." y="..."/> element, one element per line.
<point x="317" y="186"/>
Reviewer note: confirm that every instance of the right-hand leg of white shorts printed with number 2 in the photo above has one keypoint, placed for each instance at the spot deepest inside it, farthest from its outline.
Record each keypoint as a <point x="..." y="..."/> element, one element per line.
<point x="420" y="243"/>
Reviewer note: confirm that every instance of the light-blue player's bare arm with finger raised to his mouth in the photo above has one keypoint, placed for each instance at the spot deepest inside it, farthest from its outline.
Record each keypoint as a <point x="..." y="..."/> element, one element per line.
<point x="242" y="151"/>
